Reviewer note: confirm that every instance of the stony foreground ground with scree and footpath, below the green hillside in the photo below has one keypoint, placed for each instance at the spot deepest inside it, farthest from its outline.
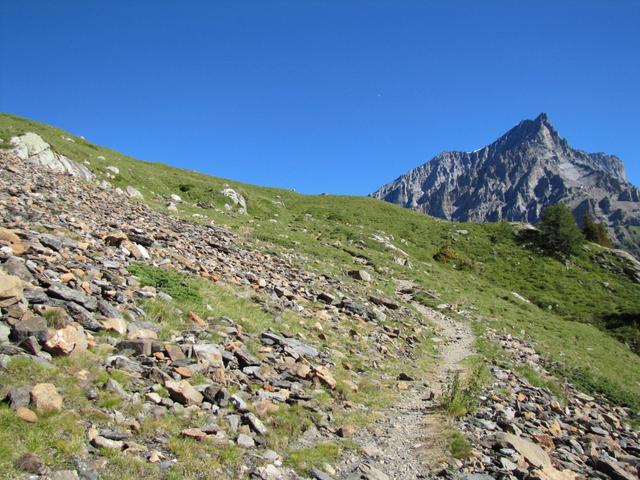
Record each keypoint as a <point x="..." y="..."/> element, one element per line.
<point x="71" y="303"/>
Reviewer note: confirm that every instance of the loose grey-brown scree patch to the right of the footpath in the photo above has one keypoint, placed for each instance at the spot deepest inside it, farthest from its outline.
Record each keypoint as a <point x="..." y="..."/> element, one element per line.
<point x="524" y="431"/>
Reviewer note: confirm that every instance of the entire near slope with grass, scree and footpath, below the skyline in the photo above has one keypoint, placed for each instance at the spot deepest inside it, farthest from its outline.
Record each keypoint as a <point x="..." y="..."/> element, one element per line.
<point x="157" y="323"/>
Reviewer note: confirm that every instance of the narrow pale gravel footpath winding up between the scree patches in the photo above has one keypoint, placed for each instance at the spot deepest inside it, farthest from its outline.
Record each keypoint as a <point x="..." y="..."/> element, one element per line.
<point x="410" y="440"/>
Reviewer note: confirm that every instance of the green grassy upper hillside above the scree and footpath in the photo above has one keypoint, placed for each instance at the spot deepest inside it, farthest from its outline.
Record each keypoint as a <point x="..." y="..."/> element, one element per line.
<point x="479" y="266"/>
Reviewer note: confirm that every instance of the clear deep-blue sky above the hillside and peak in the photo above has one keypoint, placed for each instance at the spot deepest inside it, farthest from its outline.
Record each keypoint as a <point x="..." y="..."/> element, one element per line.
<point x="322" y="96"/>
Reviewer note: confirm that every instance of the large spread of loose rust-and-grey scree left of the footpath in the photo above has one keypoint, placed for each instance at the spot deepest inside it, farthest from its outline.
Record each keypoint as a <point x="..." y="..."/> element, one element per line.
<point x="65" y="288"/>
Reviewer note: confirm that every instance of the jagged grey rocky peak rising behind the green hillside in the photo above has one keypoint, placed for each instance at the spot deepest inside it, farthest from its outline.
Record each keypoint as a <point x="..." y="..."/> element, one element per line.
<point x="515" y="177"/>
